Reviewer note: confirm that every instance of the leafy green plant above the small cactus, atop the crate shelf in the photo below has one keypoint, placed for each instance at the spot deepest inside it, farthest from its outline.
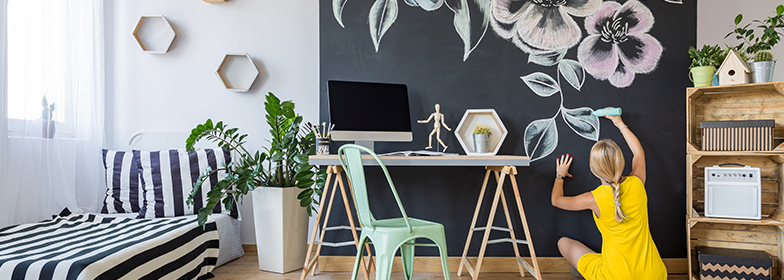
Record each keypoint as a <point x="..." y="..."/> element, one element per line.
<point x="772" y="29"/>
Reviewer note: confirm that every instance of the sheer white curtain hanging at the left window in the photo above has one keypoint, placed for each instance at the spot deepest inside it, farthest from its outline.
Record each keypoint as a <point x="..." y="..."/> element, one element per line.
<point x="55" y="107"/>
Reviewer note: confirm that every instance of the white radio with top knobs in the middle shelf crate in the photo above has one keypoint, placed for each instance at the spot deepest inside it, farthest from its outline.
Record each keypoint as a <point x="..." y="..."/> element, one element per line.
<point x="733" y="192"/>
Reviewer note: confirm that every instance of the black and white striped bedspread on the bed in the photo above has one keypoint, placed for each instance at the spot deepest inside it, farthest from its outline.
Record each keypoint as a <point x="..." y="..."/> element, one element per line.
<point x="95" y="247"/>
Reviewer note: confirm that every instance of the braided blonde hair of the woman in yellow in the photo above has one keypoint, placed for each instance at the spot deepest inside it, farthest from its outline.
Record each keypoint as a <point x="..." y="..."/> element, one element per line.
<point x="607" y="163"/>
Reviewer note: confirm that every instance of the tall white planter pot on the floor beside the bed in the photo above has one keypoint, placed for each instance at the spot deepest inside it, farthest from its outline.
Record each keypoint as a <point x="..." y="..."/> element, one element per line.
<point x="281" y="229"/>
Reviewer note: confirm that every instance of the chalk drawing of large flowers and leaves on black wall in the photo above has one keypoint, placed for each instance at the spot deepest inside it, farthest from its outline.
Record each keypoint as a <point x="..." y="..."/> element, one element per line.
<point x="616" y="48"/>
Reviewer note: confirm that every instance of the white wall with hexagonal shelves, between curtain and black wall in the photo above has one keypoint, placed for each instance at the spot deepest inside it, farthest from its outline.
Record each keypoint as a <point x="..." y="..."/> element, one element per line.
<point x="178" y="90"/>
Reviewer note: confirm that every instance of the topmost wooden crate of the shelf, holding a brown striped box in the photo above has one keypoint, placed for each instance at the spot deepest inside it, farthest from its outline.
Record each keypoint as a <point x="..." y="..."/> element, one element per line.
<point x="734" y="102"/>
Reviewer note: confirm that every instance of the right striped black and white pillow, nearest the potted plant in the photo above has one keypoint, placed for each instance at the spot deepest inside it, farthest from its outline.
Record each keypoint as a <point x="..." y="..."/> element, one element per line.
<point x="168" y="178"/>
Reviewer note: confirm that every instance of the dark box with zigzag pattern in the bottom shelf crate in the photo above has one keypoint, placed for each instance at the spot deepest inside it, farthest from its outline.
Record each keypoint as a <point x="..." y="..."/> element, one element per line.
<point x="723" y="263"/>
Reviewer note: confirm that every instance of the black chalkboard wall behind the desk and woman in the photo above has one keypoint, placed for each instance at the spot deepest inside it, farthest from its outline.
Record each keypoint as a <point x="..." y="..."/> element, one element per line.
<point x="423" y="50"/>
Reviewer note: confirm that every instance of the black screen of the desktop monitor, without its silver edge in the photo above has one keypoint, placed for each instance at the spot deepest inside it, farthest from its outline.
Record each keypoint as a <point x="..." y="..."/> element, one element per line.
<point x="360" y="106"/>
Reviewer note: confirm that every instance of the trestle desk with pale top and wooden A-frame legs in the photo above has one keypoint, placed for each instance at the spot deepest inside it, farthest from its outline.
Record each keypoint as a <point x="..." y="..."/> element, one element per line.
<point x="500" y="165"/>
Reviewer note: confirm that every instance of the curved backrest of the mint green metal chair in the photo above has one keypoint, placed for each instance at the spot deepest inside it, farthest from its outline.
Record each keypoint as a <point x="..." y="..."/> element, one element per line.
<point x="351" y="159"/>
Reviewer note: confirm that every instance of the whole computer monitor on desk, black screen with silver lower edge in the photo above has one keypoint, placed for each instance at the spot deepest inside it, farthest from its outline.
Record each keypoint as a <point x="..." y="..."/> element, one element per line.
<point x="367" y="112"/>
